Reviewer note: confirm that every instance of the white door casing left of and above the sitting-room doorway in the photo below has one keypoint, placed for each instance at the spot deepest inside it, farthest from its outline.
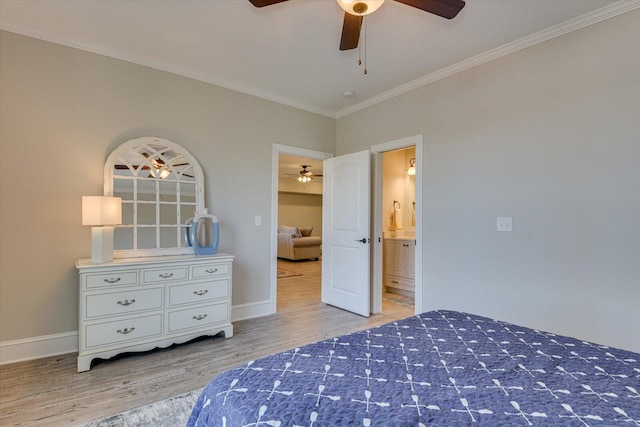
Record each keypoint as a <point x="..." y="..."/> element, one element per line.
<point x="276" y="150"/>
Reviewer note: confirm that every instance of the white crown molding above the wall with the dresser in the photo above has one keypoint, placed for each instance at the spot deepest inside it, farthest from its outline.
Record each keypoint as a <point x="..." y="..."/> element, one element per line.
<point x="163" y="66"/>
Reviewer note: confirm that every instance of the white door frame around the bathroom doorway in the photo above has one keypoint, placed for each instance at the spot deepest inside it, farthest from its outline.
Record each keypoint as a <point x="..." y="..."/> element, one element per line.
<point x="377" y="221"/>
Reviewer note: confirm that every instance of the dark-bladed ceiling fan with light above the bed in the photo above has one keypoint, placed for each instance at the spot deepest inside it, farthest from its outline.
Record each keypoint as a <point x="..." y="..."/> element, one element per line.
<point x="355" y="10"/>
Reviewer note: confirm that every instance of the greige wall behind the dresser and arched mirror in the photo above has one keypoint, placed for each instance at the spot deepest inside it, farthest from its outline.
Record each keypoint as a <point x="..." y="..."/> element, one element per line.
<point x="64" y="111"/>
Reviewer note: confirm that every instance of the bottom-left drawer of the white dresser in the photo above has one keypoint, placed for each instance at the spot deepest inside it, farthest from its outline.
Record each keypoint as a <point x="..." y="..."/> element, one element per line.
<point x="123" y="330"/>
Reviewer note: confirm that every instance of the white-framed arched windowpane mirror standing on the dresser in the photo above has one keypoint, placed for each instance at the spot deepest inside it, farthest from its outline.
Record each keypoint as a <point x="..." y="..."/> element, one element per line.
<point x="161" y="186"/>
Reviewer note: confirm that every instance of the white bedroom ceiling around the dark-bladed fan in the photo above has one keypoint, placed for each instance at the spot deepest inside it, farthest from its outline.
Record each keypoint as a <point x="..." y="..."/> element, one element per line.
<point x="289" y="53"/>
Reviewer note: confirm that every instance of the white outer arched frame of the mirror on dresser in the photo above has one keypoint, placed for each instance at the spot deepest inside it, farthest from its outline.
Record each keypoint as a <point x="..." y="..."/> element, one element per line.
<point x="109" y="186"/>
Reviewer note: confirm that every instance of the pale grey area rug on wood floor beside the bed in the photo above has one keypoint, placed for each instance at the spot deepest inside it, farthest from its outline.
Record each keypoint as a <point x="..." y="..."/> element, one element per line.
<point x="170" y="412"/>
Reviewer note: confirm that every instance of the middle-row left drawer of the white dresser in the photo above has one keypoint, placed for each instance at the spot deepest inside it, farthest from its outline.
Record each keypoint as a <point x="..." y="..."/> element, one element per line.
<point x="123" y="302"/>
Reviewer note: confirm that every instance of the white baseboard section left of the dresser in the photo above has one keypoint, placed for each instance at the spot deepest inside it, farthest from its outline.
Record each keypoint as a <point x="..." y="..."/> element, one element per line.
<point x="38" y="347"/>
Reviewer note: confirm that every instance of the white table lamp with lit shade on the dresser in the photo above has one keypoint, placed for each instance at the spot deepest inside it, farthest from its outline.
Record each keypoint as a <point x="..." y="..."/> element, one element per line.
<point x="103" y="213"/>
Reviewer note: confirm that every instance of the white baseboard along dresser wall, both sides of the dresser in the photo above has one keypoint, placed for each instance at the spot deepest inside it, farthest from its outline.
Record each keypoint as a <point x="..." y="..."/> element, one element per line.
<point x="67" y="342"/>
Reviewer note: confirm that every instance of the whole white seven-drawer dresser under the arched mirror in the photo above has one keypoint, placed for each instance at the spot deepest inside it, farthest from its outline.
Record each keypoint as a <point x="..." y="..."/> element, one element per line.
<point x="138" y="304"/>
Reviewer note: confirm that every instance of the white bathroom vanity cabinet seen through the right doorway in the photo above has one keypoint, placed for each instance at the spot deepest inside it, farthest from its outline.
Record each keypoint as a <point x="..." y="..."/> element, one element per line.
<point x="399" y="256"/>
